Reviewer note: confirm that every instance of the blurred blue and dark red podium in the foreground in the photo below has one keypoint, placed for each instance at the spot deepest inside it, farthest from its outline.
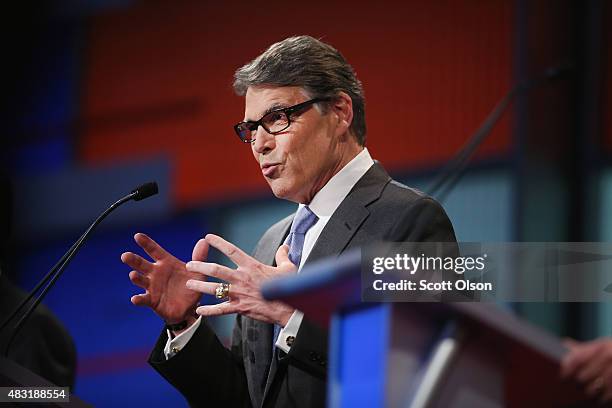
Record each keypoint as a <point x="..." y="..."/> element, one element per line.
<point x="417" y="354"/>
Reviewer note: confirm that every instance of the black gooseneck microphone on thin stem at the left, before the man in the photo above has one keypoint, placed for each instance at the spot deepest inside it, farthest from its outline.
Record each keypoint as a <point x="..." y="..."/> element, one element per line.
<point x="139" y="193"/>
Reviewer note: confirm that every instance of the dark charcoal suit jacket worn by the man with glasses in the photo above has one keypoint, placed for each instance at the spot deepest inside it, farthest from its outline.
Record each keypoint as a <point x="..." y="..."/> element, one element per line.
<point x="208" y="374"/>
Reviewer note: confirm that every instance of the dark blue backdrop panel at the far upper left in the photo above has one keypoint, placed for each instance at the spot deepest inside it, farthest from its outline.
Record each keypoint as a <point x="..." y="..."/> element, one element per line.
<point x="41" y="117"/>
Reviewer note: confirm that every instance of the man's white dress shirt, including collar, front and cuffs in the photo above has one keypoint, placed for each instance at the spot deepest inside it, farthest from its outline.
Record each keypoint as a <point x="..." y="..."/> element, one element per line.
<point x="323" y="205"/>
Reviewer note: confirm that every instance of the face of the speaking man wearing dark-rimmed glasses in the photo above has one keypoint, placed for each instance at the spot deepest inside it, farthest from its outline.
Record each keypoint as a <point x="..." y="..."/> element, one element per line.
<point x="298" y="161"/>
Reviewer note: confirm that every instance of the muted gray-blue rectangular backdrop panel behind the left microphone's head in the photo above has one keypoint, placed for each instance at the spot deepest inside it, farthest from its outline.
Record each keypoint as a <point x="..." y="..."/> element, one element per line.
<point x="66" y="201"/>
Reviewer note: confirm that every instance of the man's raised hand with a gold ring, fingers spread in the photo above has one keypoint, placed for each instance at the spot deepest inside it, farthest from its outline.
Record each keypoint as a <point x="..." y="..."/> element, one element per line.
<point x="245" y="283"/>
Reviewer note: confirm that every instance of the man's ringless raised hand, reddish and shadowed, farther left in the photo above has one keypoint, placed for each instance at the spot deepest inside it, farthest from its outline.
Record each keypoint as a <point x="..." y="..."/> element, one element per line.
<point x="164" y="280"/>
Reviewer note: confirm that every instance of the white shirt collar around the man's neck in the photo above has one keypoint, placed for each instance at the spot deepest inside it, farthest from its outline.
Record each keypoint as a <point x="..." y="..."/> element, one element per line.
<point x="328" y="199"/>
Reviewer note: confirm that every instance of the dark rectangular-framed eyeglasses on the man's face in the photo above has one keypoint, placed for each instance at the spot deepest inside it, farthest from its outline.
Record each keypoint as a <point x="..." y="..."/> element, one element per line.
<point x="273" y="122"/>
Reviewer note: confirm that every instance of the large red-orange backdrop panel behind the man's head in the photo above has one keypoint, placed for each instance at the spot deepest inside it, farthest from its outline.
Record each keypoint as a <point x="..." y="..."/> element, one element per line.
<point x="158" y="81"/>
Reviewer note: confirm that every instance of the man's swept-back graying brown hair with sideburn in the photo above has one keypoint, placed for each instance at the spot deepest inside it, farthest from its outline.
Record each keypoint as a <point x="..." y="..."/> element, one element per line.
<point x="311" y="64"/>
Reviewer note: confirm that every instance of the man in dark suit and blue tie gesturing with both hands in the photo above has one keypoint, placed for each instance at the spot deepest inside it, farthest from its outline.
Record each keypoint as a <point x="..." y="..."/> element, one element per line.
<point x="305" y="122"/>
